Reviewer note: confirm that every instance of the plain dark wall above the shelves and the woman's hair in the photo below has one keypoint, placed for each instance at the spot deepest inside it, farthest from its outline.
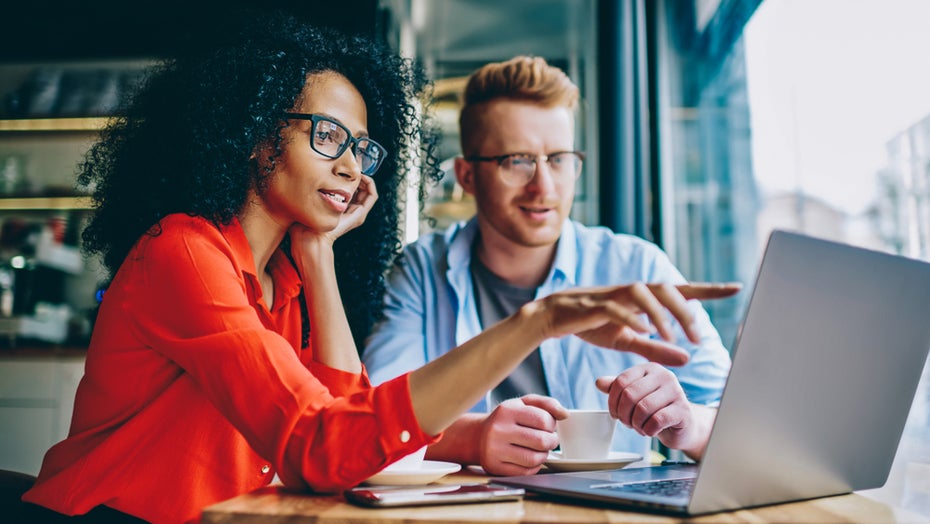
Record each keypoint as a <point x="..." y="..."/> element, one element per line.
<point x="34" y="30"/>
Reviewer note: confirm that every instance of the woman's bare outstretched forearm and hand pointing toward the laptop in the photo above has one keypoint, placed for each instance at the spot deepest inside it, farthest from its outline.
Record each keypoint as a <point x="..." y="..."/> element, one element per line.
<point x="609" y="317"/>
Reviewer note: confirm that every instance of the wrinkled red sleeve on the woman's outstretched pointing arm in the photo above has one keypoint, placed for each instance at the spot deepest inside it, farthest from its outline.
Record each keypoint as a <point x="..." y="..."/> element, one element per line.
<point x="322" y="428"/>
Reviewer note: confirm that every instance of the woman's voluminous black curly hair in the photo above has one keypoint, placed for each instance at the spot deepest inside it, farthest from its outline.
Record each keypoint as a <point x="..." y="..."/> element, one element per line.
<point x="182" y="144"/>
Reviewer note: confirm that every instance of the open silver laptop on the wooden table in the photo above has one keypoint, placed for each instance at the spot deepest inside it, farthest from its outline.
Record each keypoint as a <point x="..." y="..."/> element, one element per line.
<point x="824" y="372"/>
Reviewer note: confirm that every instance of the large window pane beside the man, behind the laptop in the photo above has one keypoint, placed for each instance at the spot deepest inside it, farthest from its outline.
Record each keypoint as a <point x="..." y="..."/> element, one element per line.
<point x="807" y="115"/>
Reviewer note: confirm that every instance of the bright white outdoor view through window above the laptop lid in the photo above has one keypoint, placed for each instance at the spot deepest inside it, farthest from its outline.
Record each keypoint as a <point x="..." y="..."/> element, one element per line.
<point x="839" y="97"/>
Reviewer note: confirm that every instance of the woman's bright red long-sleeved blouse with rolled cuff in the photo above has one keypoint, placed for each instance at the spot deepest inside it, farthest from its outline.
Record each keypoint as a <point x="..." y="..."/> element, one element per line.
<point x="194" y="392"/>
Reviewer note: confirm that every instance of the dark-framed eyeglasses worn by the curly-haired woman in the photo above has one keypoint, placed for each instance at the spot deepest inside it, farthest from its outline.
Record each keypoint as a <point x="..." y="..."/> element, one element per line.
<point x="331" y="139"/>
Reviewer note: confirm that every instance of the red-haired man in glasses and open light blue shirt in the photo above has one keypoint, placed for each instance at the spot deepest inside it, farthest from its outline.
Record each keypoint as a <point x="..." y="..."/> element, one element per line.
<point x="520" y="164"/>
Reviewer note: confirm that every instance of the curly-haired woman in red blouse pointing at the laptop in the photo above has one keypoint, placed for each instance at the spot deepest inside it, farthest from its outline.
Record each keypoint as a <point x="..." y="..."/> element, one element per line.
<point x="245" y="195"/>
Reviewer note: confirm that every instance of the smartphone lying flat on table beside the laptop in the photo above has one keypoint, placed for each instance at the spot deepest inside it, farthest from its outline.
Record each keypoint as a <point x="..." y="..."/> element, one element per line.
<point x="387" y="497"/>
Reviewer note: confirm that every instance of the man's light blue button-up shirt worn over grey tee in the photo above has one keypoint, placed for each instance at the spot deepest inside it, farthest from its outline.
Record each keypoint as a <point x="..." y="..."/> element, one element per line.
<point x="430" y="308"/>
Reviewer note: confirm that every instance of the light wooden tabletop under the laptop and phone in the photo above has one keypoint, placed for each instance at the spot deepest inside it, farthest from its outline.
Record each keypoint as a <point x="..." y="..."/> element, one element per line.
<point x="274" y="505"/>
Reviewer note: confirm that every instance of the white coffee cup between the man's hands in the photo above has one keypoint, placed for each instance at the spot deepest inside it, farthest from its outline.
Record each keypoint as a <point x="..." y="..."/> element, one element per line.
<point x="586" y="434"/>
